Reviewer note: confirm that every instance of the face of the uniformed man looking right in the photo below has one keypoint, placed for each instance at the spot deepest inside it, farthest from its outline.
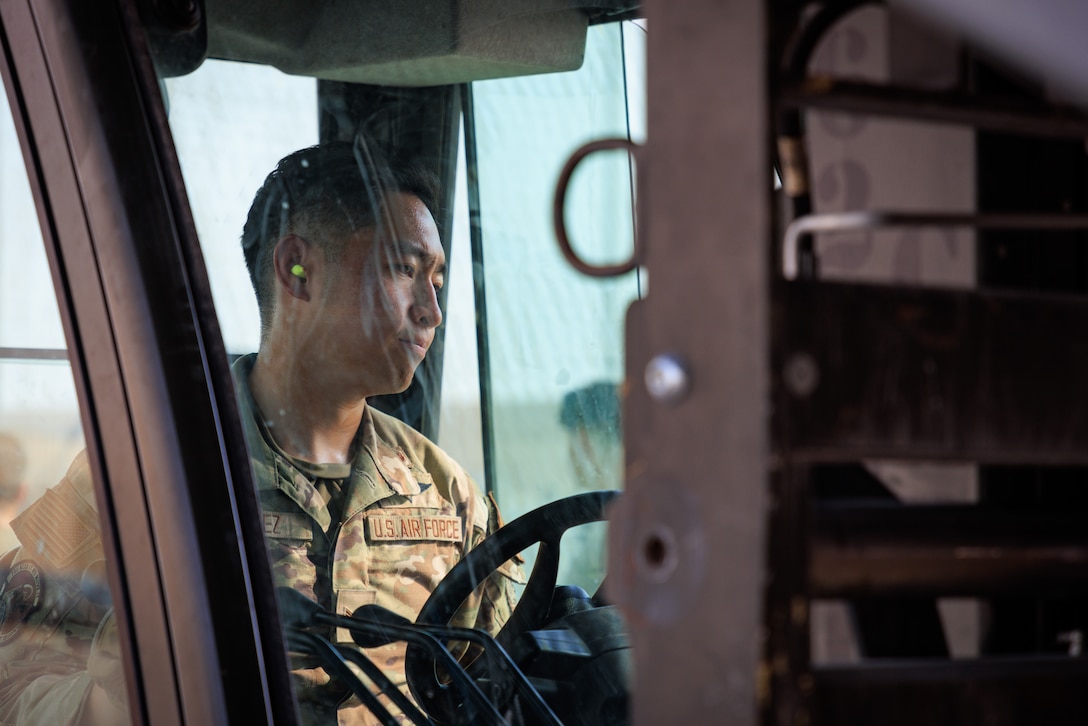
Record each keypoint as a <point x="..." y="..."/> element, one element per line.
<point x="379" y="306"/>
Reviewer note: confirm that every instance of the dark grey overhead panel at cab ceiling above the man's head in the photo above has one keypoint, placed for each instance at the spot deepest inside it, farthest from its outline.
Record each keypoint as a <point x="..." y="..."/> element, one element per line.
<point x="404" y="43"/>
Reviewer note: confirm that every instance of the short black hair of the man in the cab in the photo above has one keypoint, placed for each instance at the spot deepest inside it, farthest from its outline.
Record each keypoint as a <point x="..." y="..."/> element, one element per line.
<point x="336" y="187"/>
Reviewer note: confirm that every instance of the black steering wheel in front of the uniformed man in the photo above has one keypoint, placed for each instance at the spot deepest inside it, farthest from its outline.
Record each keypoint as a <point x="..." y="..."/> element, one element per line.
<point x="546" y="525"/>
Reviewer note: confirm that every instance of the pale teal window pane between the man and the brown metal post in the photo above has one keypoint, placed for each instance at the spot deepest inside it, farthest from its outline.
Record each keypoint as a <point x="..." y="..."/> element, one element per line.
<point x="557" y="337"/>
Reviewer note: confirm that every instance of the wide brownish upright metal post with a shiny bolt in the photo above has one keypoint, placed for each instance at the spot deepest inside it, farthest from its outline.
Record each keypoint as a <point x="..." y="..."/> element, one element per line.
<point x="687" y="552"/>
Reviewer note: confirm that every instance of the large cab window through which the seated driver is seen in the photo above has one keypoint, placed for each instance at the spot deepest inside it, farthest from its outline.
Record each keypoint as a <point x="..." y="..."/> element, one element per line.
<point x="517" y="358"/>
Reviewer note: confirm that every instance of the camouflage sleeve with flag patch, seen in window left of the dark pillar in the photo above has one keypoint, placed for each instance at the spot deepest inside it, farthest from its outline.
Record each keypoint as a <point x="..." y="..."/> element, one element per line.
<point x="59" y="656"/>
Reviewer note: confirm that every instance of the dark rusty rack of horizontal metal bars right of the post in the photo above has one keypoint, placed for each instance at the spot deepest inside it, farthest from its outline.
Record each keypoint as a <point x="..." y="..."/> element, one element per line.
<point x="985" y="376"/>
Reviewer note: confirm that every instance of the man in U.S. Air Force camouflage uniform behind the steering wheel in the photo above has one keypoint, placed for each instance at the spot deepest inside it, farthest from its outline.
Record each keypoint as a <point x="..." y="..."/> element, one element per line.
<point x="360" y="509"/>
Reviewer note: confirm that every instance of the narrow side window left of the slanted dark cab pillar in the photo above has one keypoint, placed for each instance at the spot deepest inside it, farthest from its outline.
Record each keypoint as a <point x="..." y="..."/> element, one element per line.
<point x="59" y="650"/>
